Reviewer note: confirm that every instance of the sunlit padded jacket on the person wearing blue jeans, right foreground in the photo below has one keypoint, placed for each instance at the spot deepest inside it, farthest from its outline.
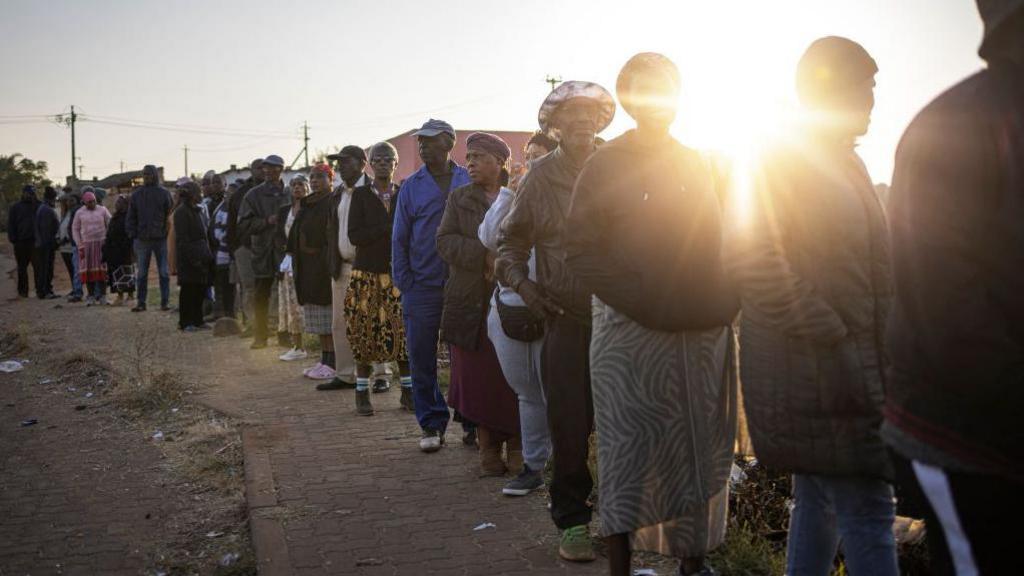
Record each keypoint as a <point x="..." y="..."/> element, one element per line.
<point x="813" y="264"/>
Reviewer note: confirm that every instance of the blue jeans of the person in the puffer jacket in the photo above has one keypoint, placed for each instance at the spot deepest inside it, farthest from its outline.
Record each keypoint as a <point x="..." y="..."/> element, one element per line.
<point x="859" y="511"/>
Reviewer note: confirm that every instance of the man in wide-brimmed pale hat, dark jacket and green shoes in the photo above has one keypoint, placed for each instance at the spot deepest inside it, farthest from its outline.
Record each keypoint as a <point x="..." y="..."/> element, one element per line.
<point x="577" y="112"/>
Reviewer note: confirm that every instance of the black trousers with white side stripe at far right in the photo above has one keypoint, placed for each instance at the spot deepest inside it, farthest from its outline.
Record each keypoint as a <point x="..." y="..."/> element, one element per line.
<point x="988" y="510"/>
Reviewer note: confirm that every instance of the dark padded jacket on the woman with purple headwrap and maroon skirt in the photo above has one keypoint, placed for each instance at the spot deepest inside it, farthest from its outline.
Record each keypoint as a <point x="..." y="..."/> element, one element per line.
<point x="467" y="293"/>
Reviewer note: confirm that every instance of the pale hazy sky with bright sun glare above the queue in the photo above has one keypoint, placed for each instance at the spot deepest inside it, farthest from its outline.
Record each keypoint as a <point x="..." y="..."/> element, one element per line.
<point x="236" y="80"/>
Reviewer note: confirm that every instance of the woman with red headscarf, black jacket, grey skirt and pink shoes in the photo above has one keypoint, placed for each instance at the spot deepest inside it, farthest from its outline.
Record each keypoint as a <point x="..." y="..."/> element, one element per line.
<point x="308" y="249"/>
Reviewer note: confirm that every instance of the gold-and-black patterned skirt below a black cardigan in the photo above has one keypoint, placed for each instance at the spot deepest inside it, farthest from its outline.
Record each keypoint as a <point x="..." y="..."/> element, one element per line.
<point x="373" y="319"/>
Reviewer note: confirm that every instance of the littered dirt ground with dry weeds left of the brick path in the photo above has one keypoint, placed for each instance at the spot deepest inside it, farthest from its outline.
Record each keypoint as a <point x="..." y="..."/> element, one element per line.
<point x="107" y="466"/>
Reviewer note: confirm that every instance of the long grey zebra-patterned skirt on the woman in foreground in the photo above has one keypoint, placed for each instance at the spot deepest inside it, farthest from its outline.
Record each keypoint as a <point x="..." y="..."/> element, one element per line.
<point x="665" y="412"/>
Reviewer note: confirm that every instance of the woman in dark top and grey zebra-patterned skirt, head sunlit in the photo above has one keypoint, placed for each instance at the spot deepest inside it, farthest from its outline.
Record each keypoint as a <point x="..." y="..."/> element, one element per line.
<point x="648" y="237"/>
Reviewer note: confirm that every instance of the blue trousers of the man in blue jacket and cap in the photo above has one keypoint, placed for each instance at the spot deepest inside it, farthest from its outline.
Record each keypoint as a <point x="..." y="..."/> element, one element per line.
<point x="422" y="316"/>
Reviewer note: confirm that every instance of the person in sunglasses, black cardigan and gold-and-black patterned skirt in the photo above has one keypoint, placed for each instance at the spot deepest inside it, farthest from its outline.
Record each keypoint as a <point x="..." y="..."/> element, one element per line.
<point x="373" y="305"/>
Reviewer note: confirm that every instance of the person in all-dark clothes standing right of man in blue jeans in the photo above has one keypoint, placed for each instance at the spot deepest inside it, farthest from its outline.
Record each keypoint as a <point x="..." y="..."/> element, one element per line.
<point x="194" y="258"/>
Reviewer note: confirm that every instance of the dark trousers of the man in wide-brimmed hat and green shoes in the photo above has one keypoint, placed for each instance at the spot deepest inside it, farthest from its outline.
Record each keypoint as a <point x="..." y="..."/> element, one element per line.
<point x="566" y="374"/>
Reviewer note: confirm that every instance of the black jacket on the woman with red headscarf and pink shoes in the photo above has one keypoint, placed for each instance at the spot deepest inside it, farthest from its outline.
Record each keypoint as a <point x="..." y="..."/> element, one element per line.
<point x="308" y="243"/>
